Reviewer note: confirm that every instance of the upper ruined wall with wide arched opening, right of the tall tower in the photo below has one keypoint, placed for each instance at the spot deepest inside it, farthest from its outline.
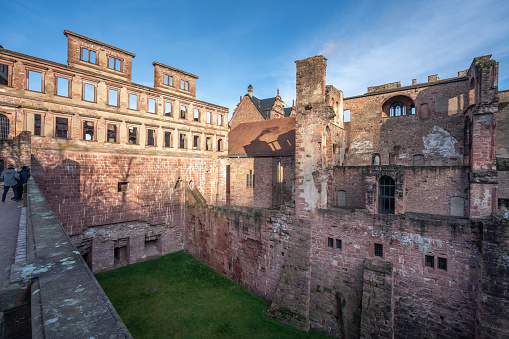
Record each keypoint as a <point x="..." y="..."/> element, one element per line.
<point x="435" y="131"/>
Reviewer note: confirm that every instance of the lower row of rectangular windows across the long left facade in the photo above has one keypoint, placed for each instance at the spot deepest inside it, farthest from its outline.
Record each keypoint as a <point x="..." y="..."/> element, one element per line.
<point x="89" y="133"/>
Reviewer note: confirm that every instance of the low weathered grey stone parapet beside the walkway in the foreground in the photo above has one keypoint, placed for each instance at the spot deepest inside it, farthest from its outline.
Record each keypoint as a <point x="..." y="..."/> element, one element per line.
<point x="53" y="293"/>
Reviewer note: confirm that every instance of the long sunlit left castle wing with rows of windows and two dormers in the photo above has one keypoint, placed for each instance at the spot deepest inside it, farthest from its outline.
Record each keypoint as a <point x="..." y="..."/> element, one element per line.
<point x="113" y="158"/>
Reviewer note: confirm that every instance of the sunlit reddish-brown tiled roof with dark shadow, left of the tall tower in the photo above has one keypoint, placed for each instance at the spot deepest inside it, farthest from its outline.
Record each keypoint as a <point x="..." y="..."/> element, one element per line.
<point x="274" y="137"/>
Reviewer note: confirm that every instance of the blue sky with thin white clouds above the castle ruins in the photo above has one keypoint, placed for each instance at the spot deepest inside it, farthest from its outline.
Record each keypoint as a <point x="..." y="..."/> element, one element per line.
<point x="231" y="44"/>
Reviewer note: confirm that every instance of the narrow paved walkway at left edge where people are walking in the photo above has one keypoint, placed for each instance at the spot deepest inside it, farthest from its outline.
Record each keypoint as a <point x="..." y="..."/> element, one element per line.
<point x="10" y="213"/>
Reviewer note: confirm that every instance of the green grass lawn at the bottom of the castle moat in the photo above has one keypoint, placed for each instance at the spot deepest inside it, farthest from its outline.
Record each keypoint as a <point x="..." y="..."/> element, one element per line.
<point x="189" y="300"/>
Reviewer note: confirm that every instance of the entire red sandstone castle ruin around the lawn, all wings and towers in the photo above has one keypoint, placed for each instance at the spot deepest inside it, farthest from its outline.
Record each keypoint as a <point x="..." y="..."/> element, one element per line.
<point x="390" y="225"/>
